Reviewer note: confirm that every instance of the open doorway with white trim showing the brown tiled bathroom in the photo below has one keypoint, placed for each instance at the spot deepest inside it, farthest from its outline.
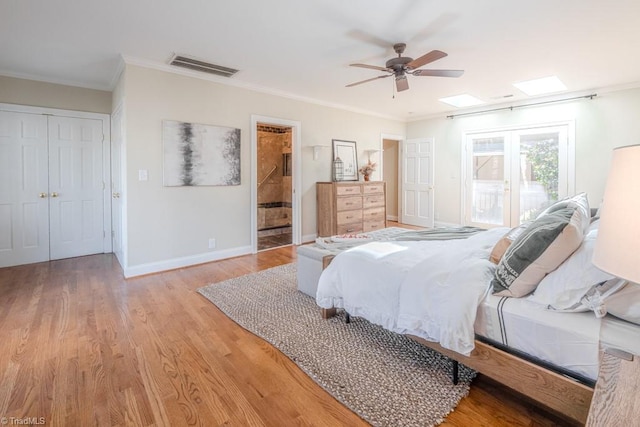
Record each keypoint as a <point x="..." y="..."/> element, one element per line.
<point x="275" y="176"/>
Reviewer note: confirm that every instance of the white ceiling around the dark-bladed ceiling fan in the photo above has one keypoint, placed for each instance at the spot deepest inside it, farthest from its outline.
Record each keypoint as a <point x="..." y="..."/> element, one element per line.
<point x="303" y="48"/>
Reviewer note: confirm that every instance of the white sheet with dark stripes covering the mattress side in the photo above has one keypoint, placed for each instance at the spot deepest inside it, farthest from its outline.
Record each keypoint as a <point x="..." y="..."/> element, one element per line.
<point x="567" y="340"/>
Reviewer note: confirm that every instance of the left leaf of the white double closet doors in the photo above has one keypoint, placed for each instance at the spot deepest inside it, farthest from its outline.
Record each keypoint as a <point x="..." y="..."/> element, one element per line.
<point x="24" y="205"/>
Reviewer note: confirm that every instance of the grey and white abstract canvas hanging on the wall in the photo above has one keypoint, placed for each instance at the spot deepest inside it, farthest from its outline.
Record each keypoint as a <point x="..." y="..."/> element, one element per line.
<point x="197" y="154"/>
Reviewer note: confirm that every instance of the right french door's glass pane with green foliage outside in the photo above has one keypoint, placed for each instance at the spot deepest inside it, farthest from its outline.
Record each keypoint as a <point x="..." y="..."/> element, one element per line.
<point x="538" y="173"/>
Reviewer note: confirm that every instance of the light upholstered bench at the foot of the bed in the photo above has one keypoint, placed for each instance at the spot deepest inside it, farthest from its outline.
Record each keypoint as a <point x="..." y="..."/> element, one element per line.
<point x="313" y="258"/>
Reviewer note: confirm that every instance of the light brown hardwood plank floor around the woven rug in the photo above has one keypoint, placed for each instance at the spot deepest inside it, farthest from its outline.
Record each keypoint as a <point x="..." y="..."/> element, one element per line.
<point x="83" y="346"/>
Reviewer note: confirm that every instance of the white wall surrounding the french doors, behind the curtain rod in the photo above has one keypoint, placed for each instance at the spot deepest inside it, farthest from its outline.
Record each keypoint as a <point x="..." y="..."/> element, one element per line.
<point x="610" y="120"/>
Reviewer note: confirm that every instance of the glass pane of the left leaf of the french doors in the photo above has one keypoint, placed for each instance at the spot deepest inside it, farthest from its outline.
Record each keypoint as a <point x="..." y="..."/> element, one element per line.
<point x="487" y="205"/>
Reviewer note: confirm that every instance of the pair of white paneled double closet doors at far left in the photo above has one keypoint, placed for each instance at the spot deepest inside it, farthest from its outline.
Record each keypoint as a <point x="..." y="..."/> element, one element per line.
<point x="51" y="187"/>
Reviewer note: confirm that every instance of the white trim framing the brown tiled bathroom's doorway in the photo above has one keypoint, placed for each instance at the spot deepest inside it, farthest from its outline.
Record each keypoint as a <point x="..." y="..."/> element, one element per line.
<point x="296" y="178"/>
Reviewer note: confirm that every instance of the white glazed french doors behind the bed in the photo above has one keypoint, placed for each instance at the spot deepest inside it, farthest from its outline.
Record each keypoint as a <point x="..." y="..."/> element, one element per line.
<point x="511" y="175"/>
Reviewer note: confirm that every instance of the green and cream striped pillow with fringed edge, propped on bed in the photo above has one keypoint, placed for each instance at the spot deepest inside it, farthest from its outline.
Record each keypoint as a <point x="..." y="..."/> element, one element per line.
<point x="541" y="248"/>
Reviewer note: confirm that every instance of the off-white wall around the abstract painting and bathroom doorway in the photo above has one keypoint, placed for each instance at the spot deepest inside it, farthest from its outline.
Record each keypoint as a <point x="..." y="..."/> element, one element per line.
<point x="169" y="226"/>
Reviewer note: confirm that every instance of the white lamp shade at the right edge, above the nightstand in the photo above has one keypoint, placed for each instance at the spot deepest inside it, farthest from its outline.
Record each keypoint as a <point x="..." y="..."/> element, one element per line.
<point x="617" y="248"/>
